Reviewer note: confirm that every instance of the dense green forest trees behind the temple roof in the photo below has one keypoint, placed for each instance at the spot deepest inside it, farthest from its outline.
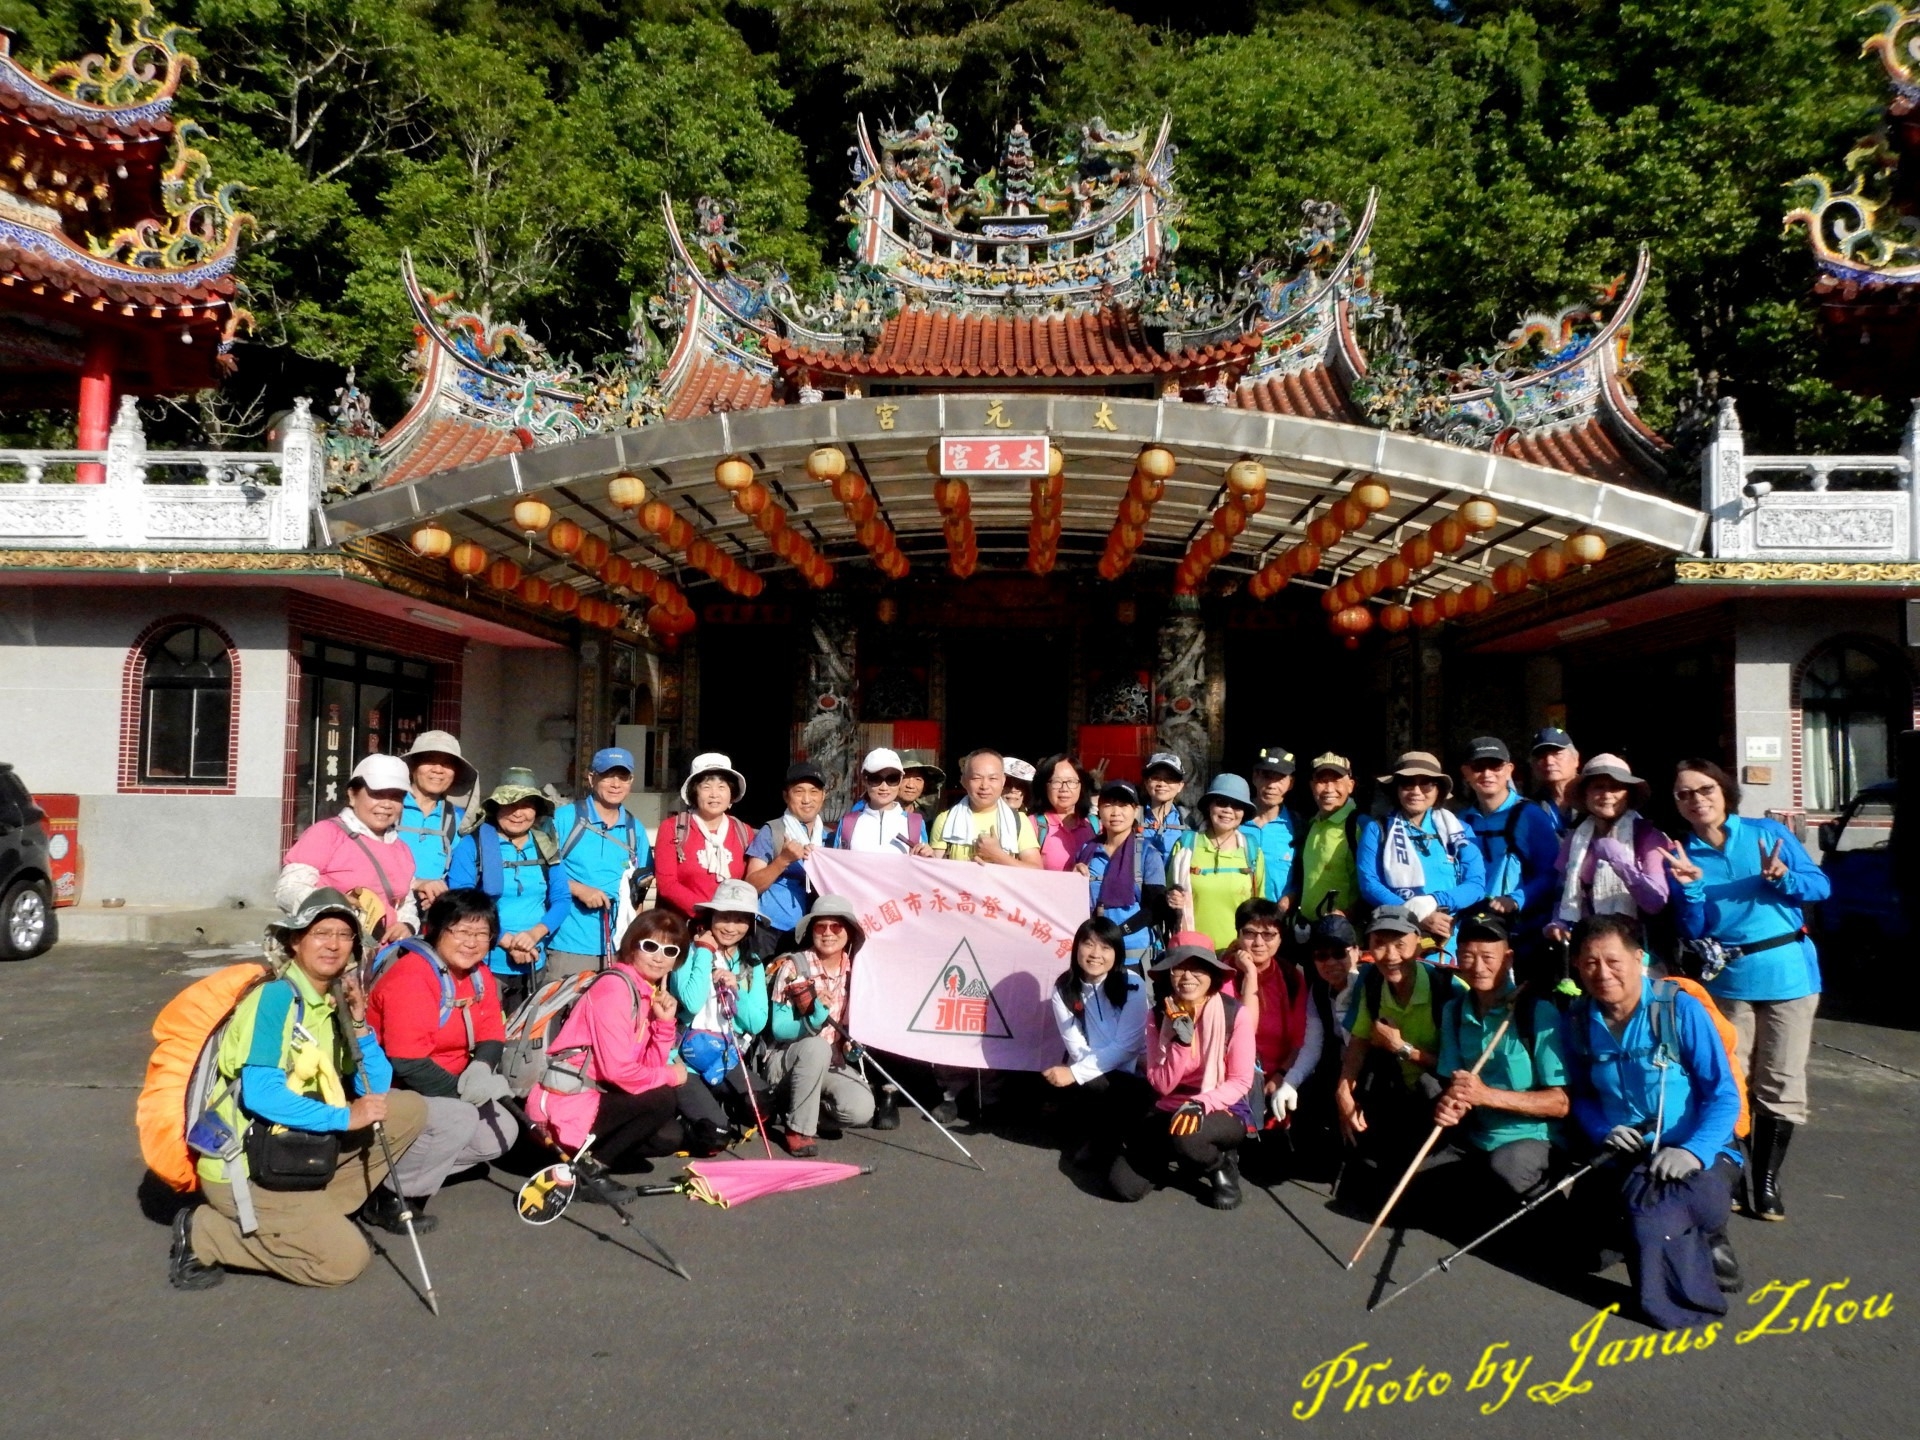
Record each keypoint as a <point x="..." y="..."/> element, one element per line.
<point x="1522" y="151"/>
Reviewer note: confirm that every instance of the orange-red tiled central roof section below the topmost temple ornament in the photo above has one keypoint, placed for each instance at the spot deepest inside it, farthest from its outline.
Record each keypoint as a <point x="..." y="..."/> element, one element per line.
<point x="940" y="343"/>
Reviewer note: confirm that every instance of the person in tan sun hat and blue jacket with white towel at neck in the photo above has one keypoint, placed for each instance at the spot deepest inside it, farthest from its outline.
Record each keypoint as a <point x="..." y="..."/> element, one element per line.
<point x="1422" y="855"/>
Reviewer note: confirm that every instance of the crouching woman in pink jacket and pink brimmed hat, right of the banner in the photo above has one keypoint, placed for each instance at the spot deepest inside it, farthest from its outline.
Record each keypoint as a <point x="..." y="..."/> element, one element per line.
<point x="1201" y="1065"/>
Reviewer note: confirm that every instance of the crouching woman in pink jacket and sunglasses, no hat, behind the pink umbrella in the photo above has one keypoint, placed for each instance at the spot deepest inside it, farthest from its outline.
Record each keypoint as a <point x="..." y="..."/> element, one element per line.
<point x="612" y="1070"/>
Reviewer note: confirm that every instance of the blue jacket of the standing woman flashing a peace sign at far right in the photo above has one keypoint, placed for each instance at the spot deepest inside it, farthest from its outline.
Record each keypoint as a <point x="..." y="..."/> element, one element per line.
<point x="1737" y="907"/>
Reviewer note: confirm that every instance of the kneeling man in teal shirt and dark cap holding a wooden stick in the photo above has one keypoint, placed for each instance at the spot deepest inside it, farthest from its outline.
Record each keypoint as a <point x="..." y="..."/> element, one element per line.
<point x="1499" y="1120"/>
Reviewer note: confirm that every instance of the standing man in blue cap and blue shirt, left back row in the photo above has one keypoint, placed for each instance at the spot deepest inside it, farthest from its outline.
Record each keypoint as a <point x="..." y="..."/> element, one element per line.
<point x="602" y="848"/>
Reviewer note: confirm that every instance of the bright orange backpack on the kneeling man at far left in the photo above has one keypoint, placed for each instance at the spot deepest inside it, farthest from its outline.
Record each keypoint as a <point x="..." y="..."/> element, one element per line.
<point x="181" y="1072"/>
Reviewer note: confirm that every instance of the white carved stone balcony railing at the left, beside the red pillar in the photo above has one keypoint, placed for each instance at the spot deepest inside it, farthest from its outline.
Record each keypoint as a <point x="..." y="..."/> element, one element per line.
<point x="164" y="500"/>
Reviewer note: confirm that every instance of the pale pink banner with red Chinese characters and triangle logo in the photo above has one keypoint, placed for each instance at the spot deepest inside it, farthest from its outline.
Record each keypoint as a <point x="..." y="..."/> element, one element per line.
<point x="961" y="959"/>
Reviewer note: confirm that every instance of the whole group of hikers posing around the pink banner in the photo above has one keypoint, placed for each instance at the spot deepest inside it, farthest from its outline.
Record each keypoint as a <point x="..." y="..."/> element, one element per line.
<point x="1487" y="992"/>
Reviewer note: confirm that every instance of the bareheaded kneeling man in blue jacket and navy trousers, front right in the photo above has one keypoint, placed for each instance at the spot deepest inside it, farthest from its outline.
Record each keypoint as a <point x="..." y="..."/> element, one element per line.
<point x="1652" y="1082"/>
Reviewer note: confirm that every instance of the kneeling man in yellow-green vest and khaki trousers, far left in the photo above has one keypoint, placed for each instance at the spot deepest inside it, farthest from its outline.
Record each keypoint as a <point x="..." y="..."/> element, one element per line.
<point x="283" y="1080"/>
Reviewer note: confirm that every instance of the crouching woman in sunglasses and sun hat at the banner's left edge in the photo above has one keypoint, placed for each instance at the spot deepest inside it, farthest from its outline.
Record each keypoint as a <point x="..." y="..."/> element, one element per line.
<point x="804" y="1059"/>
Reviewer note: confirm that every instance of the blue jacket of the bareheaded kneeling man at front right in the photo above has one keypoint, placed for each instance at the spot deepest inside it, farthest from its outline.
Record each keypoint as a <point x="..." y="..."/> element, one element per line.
<point x="1614" y="1082"/>
